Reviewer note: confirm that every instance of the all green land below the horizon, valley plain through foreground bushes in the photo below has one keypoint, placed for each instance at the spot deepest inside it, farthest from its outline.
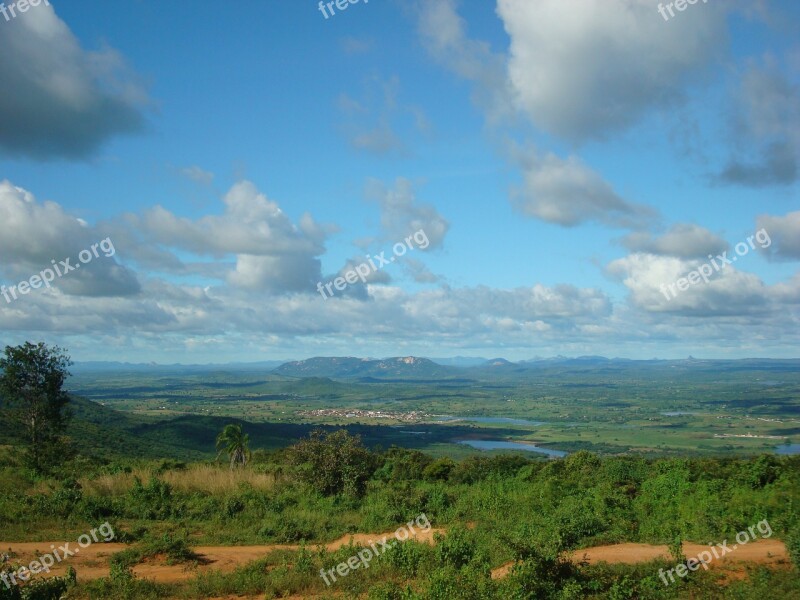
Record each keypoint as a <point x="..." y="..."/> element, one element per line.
<point x="334" y="458"/>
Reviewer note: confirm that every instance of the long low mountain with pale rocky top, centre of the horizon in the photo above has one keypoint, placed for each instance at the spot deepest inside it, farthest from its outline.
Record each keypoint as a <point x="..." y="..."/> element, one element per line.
<point x="407" y="367"/>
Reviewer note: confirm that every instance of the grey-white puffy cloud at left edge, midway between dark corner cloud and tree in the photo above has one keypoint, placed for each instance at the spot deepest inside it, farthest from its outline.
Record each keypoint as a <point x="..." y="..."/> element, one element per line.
<point x="33" y="234"/>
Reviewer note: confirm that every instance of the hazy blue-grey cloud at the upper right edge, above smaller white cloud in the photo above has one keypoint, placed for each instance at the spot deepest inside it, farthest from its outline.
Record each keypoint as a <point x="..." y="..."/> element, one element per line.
<point x="765" y="129"/>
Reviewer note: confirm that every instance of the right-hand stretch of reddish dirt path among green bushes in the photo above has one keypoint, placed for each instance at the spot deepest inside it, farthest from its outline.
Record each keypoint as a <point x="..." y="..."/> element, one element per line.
<point x="766" y="552"/>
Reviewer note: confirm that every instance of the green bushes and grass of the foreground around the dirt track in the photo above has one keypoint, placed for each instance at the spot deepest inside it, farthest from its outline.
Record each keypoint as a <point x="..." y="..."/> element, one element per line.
<point x="494" y="510"/>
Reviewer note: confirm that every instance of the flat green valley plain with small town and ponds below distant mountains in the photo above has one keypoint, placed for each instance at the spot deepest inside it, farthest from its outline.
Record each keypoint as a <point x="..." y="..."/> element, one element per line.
<point x="653" y="410"/>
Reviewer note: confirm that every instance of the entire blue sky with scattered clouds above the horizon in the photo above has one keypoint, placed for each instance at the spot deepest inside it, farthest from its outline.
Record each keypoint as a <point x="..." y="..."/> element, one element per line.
<point x="280" y="179"/>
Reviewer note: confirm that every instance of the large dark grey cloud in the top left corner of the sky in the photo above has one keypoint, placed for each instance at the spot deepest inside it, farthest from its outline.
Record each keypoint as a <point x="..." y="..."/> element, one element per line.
<point x="60" y="101"/>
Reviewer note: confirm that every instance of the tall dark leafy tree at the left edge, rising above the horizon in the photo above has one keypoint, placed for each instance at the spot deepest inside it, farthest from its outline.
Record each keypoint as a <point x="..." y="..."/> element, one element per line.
<point x="31" y="383"/>
